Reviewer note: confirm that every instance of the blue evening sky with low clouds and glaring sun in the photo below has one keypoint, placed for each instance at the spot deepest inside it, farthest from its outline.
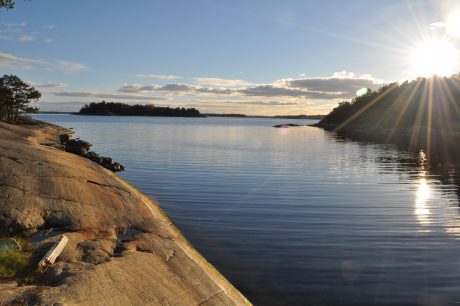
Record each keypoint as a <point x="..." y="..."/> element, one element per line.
<point x="224" y="56"/>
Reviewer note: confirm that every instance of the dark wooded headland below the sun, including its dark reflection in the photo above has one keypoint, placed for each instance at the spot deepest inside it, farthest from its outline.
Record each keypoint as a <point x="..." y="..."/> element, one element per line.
<point x="421" y="114"/>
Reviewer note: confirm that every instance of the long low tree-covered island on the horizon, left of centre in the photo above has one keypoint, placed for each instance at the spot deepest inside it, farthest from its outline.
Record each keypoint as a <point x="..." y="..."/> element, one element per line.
<point x="121" y="109"/>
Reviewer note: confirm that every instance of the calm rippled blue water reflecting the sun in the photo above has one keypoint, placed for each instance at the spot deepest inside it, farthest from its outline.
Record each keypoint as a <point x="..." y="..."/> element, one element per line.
<point x="295" y="216"/>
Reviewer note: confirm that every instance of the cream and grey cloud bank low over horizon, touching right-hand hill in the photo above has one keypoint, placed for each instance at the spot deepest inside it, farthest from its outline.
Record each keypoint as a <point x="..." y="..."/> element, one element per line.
<point x="296" y="95"/>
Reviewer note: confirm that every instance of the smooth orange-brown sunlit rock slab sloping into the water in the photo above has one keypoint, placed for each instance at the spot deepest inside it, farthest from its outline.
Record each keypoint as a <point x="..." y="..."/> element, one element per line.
<point x="122" y="249"/>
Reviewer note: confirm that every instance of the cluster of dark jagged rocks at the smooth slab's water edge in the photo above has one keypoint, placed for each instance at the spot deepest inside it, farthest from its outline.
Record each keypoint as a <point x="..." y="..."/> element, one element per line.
<point x="82" y="148"/>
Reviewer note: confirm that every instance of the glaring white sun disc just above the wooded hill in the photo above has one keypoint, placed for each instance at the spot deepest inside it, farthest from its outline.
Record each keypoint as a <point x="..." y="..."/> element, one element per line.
<point x="434" y="56"/>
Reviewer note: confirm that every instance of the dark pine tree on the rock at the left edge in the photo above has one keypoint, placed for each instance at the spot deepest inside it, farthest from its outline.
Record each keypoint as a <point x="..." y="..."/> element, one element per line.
<point x="15" y="96"/>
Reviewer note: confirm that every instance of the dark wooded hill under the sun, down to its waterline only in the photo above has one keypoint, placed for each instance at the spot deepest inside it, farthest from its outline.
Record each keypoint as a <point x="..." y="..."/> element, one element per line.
<point x="427" y="102"/>
